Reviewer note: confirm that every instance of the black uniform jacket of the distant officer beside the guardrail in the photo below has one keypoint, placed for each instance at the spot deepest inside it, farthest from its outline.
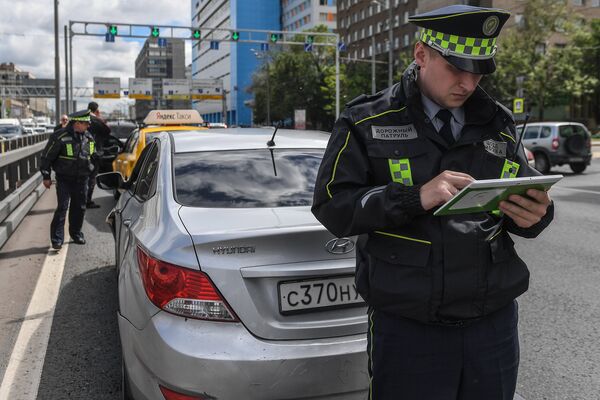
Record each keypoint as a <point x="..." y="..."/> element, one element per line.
<point x="68" y="153"/>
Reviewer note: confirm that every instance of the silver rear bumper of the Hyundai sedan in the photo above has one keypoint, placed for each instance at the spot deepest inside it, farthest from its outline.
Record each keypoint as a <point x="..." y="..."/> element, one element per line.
<point x="225" y="361"/>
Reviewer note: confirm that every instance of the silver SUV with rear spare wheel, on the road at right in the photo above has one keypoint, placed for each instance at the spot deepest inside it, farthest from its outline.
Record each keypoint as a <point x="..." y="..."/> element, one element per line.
<point x="558" y="143"/>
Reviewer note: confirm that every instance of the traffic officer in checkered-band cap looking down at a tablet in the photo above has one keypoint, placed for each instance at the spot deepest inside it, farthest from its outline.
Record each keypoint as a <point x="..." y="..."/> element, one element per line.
<point x="441" y="290"/>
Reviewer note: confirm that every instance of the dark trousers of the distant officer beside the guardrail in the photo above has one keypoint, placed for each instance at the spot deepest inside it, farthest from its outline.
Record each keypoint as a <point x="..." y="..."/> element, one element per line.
<point x="71" y="191"/>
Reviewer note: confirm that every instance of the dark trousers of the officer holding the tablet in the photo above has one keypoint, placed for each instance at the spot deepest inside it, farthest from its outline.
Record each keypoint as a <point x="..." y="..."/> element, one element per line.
<point x="409" y="360"/>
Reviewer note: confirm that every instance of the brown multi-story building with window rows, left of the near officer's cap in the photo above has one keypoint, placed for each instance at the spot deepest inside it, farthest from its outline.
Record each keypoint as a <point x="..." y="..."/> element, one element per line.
<point x="359" y="21"/>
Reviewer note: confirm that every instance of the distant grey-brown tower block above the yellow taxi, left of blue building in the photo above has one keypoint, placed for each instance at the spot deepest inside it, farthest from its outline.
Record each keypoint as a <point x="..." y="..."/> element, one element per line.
<point x="158" y="63"/>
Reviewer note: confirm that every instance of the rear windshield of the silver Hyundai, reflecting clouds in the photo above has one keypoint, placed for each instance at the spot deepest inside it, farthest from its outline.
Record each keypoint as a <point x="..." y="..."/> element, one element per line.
<point x="249" y="178"/>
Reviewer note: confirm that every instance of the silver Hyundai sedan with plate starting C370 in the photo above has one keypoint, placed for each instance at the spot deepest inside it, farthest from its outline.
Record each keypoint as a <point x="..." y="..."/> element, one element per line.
<point x="228" y="286"/>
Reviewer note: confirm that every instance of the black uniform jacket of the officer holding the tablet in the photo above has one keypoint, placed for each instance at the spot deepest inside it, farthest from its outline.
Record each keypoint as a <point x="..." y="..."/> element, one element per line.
<point x="410" y="263"/>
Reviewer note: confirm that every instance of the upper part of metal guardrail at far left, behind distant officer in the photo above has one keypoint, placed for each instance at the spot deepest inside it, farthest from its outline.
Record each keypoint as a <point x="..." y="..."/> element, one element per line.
<point x="17" y="166"/>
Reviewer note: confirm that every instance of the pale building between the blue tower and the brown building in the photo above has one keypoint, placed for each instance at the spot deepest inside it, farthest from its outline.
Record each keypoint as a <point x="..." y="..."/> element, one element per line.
<point x="300" y="15"/>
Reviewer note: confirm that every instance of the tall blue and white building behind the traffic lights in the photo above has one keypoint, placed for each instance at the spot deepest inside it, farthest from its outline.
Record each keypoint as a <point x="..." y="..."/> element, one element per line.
<point x="233" y="63"/>
